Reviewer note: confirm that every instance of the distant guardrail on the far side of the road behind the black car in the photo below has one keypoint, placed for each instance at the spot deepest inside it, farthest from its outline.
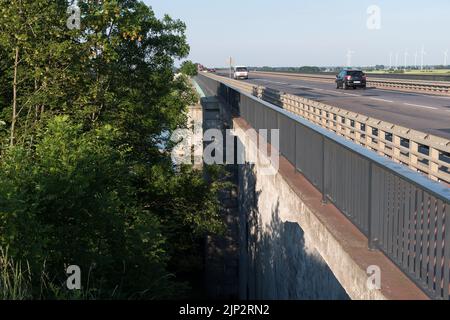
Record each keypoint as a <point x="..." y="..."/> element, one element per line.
<point x="441" y="88"/>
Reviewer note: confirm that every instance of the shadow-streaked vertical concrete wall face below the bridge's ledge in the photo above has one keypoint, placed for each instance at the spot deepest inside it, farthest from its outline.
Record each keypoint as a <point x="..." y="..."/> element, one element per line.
<point x="278" y="260"/>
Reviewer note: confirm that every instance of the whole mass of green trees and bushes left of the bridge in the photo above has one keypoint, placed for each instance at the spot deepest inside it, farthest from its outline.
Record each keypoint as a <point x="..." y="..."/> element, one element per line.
<point x="87" y="181"/>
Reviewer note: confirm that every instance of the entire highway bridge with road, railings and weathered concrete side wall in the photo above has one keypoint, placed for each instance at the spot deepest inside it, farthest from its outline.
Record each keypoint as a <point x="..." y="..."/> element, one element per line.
<point x="340" y="203"/>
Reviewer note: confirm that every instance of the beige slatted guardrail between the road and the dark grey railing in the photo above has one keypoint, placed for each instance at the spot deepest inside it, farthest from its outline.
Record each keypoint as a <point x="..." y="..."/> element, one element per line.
<point x="422" y="152"/>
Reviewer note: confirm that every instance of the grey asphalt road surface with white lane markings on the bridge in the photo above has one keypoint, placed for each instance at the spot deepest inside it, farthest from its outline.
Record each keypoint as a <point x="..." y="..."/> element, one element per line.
<point x="422" y="112"/>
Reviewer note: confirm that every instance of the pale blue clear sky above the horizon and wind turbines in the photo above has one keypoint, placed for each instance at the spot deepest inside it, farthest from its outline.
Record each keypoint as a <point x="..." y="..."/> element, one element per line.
<point x="312" y="32"/>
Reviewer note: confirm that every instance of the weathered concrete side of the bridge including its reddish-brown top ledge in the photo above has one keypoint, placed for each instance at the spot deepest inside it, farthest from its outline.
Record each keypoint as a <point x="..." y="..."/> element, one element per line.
<point x="294" y="247"/>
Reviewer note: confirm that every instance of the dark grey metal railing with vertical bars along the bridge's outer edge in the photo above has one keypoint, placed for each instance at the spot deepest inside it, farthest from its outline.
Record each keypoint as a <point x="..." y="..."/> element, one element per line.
<point x="402" y="213"/>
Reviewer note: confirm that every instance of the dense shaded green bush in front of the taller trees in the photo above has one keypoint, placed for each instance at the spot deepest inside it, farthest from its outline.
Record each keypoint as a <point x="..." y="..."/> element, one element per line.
<point x="69" y="202"/>
